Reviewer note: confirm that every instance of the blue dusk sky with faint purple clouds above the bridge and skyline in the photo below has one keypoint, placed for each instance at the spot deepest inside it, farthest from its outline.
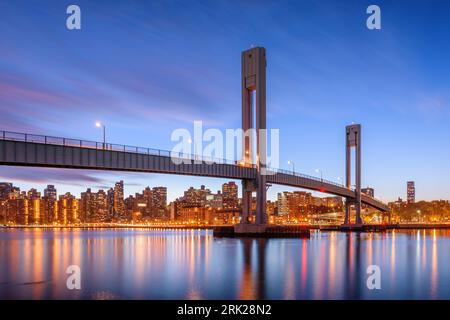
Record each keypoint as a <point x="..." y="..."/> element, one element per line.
<point x="146" y="68"/>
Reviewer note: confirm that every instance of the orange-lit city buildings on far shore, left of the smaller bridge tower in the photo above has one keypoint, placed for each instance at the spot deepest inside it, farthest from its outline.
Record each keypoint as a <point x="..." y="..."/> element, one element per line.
<point x="31" y="207"/>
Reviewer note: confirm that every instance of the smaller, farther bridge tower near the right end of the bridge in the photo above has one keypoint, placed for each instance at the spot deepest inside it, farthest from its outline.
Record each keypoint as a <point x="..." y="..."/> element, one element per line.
<point x="353" y="139"/>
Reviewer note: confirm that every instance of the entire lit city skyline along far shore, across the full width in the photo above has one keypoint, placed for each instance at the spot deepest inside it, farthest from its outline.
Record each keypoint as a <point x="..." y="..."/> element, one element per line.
<point x="199" y="205"/>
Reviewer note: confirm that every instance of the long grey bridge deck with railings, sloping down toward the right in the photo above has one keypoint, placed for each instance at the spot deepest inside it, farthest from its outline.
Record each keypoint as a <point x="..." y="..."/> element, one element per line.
<point x="19" y="149"/>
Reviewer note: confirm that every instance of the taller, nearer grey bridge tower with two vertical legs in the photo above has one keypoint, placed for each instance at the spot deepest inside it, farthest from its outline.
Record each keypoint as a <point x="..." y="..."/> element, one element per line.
<point x="254" y="94"/>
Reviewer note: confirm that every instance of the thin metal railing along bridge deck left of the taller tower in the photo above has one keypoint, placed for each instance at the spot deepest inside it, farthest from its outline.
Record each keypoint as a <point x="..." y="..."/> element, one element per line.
<point x="87" y="144"/>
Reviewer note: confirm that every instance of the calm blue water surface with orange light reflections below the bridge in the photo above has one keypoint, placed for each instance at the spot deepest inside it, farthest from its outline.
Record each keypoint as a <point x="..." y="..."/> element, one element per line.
<point x="188" y="264"/>
